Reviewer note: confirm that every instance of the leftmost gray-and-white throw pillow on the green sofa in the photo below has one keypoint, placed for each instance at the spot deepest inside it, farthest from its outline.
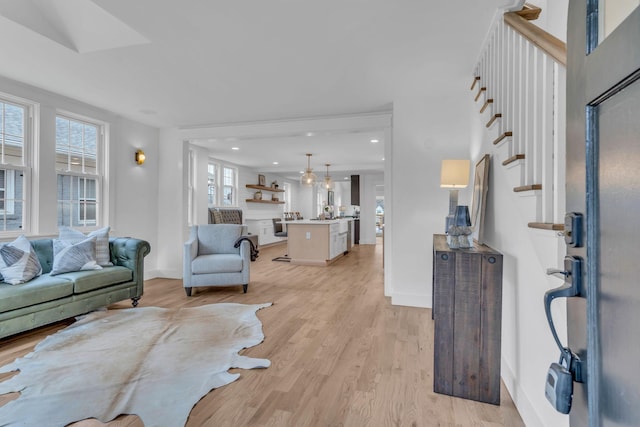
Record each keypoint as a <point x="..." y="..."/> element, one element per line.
<point x="19" y="262"/>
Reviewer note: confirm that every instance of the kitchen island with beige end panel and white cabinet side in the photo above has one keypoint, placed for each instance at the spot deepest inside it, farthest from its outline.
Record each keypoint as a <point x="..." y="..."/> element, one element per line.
<point x="321" y="242"/>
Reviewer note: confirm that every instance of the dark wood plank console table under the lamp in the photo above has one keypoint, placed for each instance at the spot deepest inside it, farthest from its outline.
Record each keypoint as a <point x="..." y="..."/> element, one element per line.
<point x="467" y="311"/>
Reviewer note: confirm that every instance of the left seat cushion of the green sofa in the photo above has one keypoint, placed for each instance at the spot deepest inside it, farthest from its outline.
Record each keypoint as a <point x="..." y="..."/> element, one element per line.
<point x="38" y="290"/>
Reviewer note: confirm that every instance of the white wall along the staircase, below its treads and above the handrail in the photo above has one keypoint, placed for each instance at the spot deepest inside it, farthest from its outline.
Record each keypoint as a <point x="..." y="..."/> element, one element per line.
<point x="527" y="344"/>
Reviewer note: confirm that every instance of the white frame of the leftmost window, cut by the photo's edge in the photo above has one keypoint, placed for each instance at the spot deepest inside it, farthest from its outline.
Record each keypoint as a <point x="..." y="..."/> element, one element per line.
<point x="29" y="146"/>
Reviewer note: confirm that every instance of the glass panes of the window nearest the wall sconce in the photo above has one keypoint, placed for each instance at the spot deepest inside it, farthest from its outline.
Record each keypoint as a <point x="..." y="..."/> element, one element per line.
<point x="78" y="145"/>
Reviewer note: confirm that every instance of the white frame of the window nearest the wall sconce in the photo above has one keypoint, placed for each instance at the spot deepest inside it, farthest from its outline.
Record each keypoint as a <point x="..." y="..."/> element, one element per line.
<point x="100" y="176"/>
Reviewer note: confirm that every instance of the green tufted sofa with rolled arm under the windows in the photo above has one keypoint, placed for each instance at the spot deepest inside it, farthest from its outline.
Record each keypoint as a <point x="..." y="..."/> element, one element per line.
<point x="47" y="299"/>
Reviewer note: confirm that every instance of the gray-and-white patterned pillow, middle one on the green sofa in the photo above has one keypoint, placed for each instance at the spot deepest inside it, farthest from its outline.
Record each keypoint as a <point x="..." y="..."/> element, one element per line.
<point x="68" y="257"/>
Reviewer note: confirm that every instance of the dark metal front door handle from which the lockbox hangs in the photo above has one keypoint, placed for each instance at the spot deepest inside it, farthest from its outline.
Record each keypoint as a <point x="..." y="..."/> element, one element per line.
<point x="572" y="287"/>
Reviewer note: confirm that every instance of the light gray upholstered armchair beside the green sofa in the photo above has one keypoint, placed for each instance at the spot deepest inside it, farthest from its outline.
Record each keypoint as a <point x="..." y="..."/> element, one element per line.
<point x="210" y="258"/>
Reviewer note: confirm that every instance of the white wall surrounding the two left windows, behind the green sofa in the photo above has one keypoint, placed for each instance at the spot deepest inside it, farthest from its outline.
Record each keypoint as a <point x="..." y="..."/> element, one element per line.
<point x="132" y="188"/>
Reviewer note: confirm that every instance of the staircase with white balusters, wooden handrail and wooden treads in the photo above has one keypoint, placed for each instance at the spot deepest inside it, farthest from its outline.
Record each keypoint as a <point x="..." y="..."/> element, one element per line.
<point x="519" y="86"/>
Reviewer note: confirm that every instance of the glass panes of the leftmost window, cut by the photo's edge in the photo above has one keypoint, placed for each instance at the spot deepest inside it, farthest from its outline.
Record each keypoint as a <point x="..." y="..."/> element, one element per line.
<point x="15" y="137"/>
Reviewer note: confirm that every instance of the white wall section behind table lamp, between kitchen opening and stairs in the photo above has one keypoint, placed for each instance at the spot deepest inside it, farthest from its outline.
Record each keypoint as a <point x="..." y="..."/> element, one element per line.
<point x="423" y="135"/>
